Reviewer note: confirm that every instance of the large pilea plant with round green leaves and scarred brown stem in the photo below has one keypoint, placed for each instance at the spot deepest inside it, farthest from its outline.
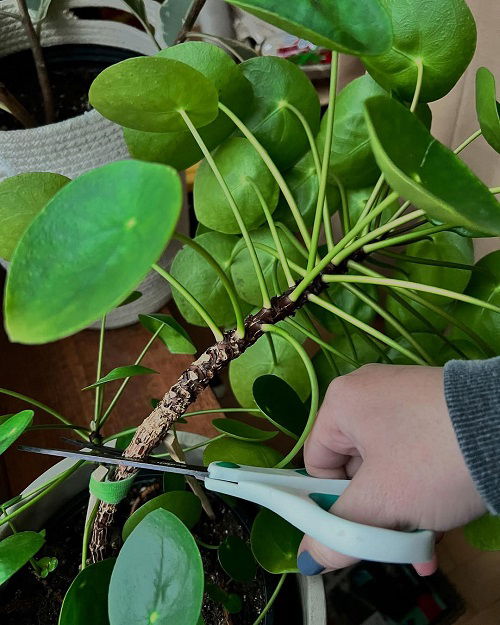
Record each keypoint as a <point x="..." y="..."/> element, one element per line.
<point x="265" y="271"/>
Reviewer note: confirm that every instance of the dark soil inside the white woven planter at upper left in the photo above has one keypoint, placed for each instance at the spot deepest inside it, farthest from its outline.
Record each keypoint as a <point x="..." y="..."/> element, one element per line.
<point x="71" y="68"/>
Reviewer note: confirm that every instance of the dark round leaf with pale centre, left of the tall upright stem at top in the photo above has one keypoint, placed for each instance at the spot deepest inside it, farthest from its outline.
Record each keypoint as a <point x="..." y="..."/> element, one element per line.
<point x="275" y="82"/>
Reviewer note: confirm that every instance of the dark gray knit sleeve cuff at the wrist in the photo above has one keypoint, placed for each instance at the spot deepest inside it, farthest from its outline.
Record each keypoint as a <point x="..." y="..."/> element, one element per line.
<point x="472" y="391"/>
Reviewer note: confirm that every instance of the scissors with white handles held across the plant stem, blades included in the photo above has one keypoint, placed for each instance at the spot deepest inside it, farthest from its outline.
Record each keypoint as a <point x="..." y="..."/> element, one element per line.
<point x="295" y="496"/>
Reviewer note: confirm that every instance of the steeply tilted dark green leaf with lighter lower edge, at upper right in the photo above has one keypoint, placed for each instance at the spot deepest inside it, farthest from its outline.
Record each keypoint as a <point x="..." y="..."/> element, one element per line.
<point x="430" y="175"/>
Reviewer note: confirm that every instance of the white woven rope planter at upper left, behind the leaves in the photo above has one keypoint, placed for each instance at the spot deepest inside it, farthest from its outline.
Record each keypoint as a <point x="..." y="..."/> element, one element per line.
<point x="76" y="145"/>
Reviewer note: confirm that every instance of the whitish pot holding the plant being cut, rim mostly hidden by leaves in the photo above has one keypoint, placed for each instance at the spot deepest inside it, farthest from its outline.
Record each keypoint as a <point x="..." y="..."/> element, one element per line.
<point x="311" y="588"/>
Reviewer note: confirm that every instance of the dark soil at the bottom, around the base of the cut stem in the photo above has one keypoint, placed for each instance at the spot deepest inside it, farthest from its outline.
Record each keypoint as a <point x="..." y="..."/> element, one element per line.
<point x="27" y="600"/>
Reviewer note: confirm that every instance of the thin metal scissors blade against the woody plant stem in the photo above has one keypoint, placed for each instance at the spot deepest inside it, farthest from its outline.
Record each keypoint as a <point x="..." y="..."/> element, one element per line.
<point x="105" y="457"/>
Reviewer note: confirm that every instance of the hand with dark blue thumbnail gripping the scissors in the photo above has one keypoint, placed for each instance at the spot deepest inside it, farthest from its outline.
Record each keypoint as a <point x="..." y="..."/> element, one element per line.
<point x="387" y="427"/>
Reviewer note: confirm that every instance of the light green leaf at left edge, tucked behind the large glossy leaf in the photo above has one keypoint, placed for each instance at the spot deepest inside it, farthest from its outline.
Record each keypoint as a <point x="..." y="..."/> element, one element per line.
<point x="22" y="197"/>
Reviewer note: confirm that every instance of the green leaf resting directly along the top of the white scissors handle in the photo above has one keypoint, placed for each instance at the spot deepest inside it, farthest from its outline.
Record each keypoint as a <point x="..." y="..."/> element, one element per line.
<point x="240" y="452"/>
